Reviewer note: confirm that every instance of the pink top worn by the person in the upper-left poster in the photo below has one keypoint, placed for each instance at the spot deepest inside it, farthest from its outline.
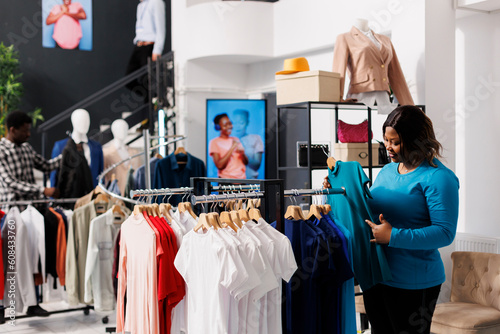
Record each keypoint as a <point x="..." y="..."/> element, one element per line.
<point x="67" y="30"/>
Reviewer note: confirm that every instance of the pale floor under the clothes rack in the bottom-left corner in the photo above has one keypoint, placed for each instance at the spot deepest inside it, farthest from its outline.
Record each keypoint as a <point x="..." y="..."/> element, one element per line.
<point x="75" y="322"/>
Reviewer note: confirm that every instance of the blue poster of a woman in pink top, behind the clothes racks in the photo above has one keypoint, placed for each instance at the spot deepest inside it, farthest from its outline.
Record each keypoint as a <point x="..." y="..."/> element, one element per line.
<point x="236" y="131"/>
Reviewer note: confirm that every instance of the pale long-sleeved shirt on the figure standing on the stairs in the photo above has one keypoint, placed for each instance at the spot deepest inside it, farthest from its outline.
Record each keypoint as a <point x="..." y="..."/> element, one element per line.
<point x="150" y="24"/>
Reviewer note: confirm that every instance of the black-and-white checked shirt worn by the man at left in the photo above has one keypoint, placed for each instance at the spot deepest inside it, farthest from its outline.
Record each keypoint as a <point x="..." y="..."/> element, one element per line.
<point x="17" y="180"/>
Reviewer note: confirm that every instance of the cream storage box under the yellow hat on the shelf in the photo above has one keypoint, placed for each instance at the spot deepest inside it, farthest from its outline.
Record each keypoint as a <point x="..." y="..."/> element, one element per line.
<point x="316" y="86"/>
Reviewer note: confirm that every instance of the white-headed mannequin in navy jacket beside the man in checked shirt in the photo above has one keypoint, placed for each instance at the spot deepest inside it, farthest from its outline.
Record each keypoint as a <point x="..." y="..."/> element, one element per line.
<point x="91" y="149"/>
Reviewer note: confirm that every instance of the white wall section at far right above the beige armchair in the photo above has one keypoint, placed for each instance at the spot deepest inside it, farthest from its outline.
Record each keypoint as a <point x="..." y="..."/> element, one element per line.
<point x="478" y="122"/>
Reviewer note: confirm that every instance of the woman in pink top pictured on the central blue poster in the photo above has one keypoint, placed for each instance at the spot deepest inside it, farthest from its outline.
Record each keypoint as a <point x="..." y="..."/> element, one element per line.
<point x="227" y="152"/>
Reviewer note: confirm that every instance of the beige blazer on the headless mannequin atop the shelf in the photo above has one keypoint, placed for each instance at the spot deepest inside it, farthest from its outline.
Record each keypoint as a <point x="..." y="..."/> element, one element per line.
<point x="370" y="69"/>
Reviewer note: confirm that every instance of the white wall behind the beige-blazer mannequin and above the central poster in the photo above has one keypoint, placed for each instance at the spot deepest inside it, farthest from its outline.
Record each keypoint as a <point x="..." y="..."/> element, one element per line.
<point x="209" y="60"/>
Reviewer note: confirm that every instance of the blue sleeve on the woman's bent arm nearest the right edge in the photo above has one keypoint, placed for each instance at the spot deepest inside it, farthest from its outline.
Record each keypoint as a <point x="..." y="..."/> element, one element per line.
<point x="441" y="194"/>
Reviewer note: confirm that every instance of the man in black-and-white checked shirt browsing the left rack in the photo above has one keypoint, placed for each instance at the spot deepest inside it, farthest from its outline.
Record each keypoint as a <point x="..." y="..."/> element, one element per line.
<point x="18" y="159"/>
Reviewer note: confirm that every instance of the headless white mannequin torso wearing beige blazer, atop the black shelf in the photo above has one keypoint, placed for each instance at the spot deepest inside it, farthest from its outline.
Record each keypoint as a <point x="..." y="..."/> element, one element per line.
<point x="373" y="68"/>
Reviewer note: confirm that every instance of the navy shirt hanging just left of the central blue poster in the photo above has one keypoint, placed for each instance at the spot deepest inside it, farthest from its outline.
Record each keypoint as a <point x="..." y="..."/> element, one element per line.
<point x="170" y="174"/>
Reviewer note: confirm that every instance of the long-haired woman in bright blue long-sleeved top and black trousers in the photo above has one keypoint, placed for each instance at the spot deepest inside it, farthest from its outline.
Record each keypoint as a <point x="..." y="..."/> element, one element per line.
<point x="416" y="200"/>
